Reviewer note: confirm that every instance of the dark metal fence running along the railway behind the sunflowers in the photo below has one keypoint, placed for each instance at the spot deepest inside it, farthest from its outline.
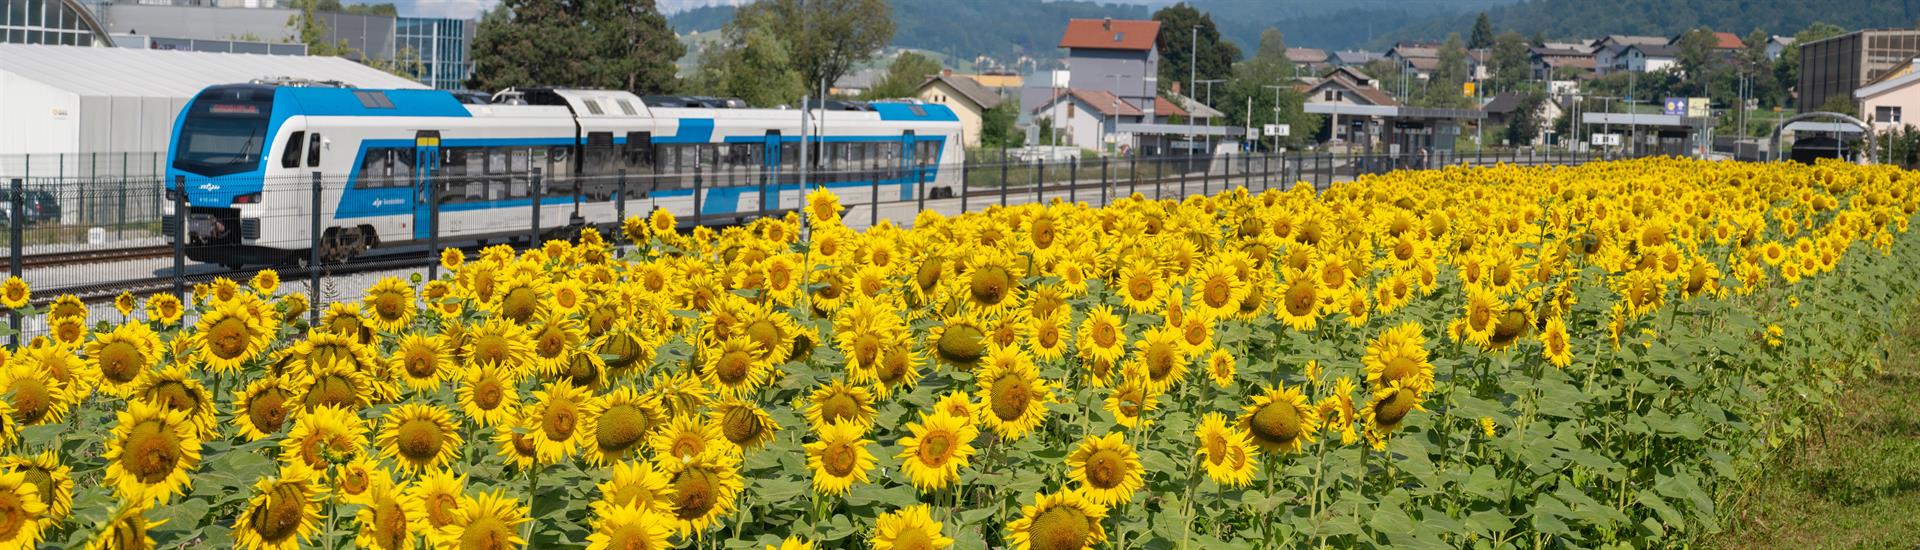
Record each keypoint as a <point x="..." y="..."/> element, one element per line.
<point x="107" y="232"/>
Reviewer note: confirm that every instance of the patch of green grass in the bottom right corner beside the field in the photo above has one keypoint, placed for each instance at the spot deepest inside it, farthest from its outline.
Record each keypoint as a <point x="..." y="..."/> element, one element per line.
<point x="1860" y="486"/>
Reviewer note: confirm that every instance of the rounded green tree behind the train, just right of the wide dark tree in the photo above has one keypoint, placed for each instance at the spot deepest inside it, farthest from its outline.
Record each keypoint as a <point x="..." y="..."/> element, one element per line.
<point x="752" y="64"/>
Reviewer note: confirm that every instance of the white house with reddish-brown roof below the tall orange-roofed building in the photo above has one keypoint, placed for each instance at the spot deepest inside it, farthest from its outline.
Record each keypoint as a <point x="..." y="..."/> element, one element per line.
<point x="1093" y="120"/>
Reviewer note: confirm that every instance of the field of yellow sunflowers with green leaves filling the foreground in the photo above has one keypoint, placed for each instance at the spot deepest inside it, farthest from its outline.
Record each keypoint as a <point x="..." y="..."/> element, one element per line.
<point x="1489" y="359"/>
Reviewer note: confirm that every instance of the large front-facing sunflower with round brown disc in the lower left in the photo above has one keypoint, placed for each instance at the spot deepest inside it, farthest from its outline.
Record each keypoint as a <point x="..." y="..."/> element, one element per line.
<point x="151" y="453"/>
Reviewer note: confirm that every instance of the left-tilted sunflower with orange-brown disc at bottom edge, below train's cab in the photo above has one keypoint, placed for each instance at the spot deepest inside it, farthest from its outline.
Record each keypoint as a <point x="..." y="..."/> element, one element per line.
<point x="283" y="514"/>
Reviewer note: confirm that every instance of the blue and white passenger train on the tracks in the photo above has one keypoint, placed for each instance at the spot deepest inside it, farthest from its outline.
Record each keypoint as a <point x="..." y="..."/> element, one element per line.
<point x="247" y="157"/>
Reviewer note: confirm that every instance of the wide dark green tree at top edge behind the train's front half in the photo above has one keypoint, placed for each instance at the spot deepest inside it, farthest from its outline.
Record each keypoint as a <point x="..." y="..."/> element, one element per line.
<point x="619" y="45"/>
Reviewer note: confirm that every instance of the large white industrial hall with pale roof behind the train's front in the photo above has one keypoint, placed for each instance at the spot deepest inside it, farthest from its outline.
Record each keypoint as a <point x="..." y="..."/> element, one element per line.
<point x="66" y="107"/>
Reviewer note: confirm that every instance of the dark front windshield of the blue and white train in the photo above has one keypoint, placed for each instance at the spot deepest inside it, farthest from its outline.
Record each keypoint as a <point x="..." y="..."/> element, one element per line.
<point x="226" y="132"/>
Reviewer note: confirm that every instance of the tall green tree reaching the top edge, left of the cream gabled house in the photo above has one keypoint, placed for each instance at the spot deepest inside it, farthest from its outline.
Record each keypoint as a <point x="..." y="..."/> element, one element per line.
<point x="827" y="37"/>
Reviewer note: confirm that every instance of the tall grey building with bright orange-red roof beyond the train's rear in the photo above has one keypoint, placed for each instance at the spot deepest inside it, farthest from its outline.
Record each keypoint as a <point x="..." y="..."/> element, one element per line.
<point x="1116" y="57"/>
